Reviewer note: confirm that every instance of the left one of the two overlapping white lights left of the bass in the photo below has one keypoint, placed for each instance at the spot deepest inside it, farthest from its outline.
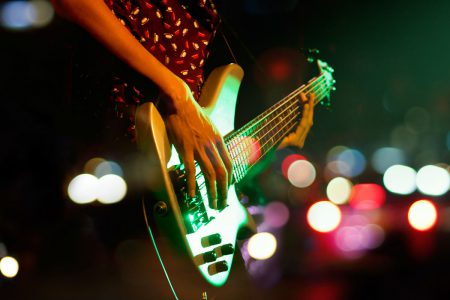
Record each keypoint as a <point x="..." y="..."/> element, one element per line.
<point x="83" y="188"/>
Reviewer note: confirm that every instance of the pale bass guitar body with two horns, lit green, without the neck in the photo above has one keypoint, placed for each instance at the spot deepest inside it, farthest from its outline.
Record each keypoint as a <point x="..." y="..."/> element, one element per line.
<point x="209" y="244"/>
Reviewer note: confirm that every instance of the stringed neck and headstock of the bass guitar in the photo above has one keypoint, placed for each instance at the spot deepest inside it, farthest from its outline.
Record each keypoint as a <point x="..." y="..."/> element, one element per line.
<point x="253" y="141"/>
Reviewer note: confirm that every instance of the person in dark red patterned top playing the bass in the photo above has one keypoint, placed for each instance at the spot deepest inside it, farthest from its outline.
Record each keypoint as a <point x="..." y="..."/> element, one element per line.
<point x="166" y="41"/>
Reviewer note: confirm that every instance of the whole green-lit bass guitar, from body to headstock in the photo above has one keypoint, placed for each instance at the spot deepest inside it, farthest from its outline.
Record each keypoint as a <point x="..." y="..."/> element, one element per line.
<point x="208" y="235"/>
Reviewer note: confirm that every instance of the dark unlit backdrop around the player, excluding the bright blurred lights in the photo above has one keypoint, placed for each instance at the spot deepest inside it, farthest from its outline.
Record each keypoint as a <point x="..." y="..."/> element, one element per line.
<point x="389" y="56"/>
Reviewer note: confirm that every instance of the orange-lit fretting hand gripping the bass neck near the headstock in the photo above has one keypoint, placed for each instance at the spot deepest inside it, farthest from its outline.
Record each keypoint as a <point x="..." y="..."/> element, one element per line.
<point x="298" y="137"/>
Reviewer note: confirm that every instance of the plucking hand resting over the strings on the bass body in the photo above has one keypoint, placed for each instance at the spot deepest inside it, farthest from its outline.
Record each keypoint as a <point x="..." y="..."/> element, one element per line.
<point x="196" y="138"/>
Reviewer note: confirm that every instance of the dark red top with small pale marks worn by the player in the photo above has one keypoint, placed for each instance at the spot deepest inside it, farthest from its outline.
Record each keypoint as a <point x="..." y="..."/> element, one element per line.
<point x="177" y="33"/>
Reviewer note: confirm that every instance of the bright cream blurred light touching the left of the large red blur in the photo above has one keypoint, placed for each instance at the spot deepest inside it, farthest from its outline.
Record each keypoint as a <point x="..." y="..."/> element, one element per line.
<point x="324" y="216"/>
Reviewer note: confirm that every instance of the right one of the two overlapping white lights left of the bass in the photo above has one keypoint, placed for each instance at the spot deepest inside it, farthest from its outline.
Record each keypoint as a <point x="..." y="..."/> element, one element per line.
<point x="111" y="189"/>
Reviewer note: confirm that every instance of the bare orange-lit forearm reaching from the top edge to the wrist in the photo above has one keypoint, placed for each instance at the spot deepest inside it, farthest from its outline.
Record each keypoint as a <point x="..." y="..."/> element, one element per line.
<point x="95" y="17"/>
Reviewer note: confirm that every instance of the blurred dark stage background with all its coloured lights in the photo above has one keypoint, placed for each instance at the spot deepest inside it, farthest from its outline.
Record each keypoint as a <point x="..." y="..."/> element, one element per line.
<point x="382" y="145"/>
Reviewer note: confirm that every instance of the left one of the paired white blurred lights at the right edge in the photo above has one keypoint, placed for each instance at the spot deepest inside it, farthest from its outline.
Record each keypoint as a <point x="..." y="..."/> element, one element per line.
<point x="399" y="179"/>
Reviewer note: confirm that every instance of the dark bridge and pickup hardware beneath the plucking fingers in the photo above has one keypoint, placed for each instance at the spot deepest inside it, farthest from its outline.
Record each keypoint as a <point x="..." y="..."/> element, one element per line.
<point x="193" y="209"/>
